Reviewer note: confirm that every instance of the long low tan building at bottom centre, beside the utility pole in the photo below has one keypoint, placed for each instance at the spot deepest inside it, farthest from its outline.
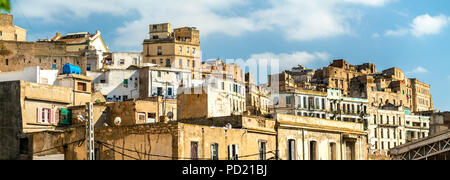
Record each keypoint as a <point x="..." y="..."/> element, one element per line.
<point x="227" y="138"/>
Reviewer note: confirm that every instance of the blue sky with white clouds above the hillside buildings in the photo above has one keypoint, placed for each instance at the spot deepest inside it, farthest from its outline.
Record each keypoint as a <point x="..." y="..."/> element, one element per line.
<point x="409" y="34"/>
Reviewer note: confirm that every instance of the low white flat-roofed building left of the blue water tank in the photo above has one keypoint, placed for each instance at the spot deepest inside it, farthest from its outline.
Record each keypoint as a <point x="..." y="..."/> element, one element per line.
<point x="31" y="74"/>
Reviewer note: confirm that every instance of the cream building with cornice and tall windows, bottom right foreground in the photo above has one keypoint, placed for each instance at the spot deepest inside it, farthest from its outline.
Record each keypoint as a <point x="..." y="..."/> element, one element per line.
<point x="307" y="138"/>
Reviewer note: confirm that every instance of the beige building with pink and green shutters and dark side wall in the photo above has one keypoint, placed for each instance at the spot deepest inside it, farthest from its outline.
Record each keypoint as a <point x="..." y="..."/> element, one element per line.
<point x="28" y="108"/>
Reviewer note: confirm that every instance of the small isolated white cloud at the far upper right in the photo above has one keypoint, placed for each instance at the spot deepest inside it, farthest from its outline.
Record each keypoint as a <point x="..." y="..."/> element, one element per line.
<point x="422" y="25"/>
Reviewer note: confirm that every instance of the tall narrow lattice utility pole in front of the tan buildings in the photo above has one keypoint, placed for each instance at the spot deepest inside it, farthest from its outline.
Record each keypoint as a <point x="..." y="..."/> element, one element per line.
<point x="90" y="143"/>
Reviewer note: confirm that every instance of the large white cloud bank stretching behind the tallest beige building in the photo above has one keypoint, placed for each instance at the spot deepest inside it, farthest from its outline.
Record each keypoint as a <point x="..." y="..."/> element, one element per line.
<point x="299" y="20"/>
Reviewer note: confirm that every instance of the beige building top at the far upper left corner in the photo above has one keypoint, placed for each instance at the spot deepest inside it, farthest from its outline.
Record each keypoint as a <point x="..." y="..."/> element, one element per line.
<point x="9" y="31"/>
